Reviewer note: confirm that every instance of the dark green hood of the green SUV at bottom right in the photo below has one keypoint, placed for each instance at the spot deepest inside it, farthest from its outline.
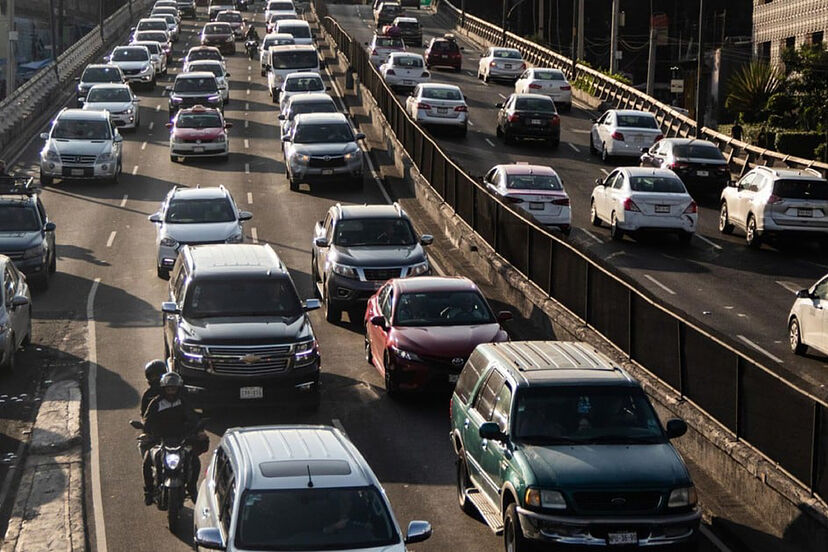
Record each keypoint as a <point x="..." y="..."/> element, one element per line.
<point x="602" y="466"/>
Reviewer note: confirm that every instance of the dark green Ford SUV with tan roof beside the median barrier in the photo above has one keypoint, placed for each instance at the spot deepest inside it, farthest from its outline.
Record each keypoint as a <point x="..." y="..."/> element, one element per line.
<point x="555" y="444"/>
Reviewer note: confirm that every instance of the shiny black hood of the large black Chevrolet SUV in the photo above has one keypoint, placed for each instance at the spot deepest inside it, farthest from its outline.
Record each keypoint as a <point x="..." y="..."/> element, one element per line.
<point x="246" y="330"/>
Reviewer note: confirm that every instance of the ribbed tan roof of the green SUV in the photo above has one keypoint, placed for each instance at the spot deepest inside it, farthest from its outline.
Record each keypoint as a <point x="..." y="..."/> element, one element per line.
<point x="555" y="363"/>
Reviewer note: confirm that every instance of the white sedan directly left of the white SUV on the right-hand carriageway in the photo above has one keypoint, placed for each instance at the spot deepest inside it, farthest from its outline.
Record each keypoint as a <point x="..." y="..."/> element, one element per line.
<point x="636" y="198"/>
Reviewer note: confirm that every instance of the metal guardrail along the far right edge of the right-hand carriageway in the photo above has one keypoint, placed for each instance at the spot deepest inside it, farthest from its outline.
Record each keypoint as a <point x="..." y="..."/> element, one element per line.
<point x="740" y="155"/>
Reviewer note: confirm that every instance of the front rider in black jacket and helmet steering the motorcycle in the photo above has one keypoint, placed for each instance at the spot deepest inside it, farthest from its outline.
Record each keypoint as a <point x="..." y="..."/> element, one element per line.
<point x="169" y="416"/>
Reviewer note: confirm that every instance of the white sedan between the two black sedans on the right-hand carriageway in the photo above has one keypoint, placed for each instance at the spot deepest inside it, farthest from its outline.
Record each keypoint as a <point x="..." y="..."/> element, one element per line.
<point x="623" y="132"/>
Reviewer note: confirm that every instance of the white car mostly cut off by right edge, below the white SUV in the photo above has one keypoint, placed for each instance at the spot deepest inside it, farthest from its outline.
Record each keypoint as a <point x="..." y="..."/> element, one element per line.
<point x="808" y="319"/>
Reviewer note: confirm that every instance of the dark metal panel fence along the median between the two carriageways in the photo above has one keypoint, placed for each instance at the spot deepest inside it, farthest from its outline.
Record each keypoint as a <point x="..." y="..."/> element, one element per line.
<point x="783" y="422"/>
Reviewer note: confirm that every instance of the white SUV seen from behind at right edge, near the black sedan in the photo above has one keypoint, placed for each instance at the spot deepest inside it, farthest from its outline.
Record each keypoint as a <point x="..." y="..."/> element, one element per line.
<point x="773" y="202"/>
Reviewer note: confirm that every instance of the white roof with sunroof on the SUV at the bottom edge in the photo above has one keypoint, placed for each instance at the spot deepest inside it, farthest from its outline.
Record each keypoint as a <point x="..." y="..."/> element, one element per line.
<point x="279" y="457"/>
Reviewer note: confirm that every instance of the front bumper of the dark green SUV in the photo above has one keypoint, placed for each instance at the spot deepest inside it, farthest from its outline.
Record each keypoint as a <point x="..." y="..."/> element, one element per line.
<point x="651" y="531"/>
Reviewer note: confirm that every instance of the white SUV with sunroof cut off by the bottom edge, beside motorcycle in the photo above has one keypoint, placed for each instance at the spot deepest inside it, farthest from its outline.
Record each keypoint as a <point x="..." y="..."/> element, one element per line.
<point x="295" y="488"/>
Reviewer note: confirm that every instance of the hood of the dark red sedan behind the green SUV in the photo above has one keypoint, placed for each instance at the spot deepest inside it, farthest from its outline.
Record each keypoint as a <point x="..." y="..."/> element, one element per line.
<point x="445" y="341"/>
